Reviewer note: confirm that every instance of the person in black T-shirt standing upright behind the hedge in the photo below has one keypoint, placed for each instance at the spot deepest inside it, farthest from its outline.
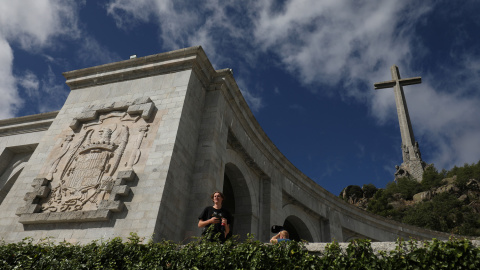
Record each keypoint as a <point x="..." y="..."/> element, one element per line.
<point x="215" y="219"/>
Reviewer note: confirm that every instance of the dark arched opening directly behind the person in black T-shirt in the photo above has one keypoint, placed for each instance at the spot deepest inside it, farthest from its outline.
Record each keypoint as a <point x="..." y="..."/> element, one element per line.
<point x="238" y="200"/>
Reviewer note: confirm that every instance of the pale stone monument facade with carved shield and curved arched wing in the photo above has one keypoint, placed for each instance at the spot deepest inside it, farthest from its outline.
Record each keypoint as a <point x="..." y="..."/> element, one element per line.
<point x="139" y="146"/>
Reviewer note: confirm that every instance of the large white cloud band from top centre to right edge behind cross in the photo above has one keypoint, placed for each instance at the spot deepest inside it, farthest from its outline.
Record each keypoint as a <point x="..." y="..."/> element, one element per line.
<point x="340" y="43"/>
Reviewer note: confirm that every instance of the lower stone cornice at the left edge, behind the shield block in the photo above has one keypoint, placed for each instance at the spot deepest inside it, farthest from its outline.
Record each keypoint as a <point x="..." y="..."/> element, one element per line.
<point x="26" y="124"/>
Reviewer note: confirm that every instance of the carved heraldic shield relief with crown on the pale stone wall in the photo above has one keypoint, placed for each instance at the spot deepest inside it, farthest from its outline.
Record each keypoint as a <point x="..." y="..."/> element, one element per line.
<point x="86" y="172"/>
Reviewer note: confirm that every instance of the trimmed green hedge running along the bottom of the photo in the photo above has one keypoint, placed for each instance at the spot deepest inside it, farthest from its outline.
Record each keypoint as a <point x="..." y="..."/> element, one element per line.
<point x="250" y="254"/>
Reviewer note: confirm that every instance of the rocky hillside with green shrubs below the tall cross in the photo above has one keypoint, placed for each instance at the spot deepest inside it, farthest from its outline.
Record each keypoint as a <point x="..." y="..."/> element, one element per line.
<point x="448" y="201"/>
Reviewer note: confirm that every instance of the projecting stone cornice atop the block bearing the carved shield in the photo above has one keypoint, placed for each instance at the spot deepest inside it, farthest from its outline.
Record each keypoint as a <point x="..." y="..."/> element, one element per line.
<point x="189" y="58"/>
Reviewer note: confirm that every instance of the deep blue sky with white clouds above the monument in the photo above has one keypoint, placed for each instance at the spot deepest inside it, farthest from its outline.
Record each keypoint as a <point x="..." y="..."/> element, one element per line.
<point x="305" y="67"/>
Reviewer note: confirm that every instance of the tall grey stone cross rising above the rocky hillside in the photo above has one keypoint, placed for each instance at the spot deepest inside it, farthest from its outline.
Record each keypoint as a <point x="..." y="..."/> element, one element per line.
<point x="412" y="161"/>
